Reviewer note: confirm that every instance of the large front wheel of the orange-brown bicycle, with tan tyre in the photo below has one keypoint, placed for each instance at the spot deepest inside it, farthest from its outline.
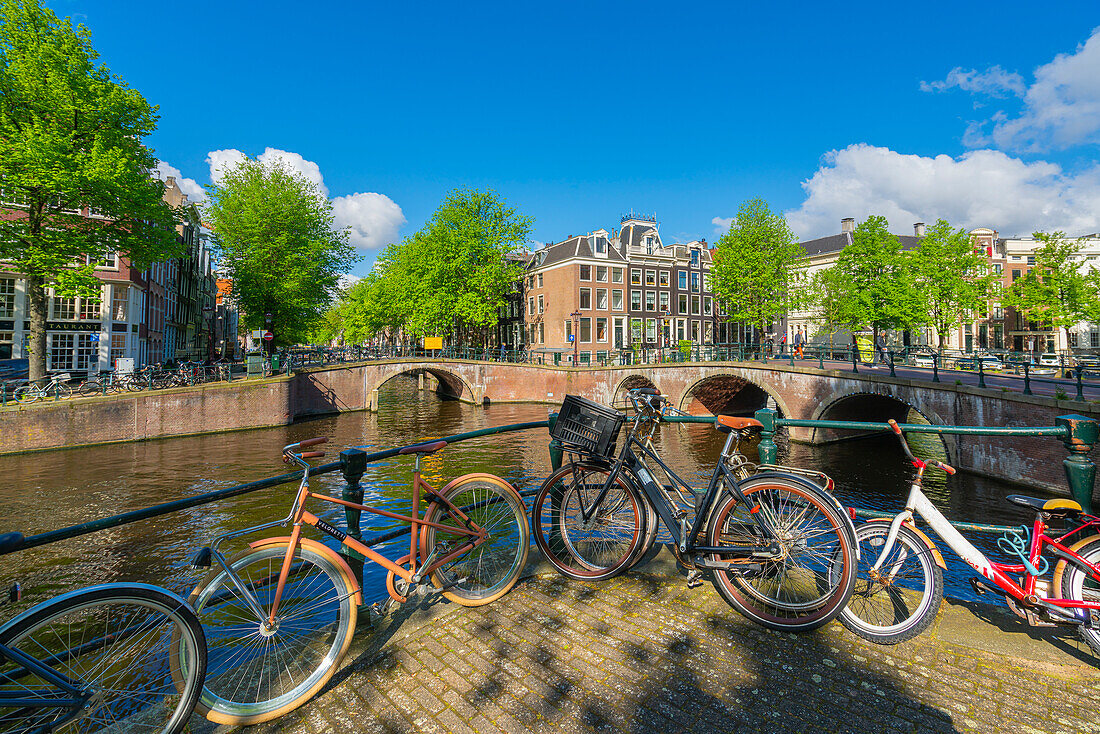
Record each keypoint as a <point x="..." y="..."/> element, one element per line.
<point x="256" y="675"/>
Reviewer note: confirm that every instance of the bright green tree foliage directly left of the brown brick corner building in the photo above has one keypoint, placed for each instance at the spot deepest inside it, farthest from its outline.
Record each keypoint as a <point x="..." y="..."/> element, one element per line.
<point x="452" y="278"/>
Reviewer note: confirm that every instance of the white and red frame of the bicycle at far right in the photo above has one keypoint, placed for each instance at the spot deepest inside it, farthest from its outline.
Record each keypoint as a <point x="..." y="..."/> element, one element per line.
<point x="992" y="571"/>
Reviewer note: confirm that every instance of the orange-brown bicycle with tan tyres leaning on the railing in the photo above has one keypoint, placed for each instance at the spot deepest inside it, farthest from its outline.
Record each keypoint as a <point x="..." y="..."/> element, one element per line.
<point x="280" y="617"/>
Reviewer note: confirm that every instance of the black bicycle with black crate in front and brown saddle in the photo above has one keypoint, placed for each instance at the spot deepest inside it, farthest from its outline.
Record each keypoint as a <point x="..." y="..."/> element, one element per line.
<point x="780" y="549"/>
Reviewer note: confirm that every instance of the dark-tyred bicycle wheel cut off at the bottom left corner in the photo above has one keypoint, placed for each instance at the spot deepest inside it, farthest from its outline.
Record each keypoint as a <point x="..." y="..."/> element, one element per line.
<point x="138" y="651"/>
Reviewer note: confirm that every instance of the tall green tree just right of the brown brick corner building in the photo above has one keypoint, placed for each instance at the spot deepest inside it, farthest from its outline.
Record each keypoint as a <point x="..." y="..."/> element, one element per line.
<point x="754" y="267"/>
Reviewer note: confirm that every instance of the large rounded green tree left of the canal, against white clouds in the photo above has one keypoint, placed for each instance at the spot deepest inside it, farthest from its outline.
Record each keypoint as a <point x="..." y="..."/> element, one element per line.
<point x="274" y="236"/>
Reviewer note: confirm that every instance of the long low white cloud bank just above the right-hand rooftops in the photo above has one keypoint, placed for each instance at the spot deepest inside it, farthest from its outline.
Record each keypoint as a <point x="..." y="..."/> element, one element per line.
<point x="982" y="189"/>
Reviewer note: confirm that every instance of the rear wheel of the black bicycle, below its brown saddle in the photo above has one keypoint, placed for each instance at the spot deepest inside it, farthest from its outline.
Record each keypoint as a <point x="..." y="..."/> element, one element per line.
<point x="809" y="583"/>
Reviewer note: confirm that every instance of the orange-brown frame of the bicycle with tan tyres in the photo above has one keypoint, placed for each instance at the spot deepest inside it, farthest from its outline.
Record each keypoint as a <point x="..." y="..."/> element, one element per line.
<point x="300" y="518"/>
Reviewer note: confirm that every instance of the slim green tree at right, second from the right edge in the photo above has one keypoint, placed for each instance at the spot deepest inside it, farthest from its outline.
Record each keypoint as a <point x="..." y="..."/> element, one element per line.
<point x="953" y="278"/>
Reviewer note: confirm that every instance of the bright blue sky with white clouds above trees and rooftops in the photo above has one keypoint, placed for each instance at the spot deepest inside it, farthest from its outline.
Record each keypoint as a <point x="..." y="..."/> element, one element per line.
<point x="578" y="113"/>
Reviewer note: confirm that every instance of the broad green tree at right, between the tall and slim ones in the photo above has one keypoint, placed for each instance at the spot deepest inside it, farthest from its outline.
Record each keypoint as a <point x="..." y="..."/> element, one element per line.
<point x="872" y="284"/>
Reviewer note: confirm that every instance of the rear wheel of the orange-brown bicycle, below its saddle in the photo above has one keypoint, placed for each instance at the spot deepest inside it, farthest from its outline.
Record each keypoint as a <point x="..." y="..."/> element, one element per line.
<point x="487" y="573"/>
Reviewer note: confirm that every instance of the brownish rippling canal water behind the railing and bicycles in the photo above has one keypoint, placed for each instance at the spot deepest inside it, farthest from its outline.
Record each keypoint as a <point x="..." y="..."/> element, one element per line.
<point x="48" y="491"/>
